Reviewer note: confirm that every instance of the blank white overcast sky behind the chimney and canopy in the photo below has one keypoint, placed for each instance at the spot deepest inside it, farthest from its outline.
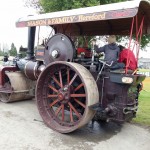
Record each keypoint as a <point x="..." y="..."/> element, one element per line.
<point x="10" y="12"/>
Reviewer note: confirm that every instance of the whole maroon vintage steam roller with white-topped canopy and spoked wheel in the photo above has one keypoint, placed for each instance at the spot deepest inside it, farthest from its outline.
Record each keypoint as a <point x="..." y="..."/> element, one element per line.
<point x="73" y="84"/>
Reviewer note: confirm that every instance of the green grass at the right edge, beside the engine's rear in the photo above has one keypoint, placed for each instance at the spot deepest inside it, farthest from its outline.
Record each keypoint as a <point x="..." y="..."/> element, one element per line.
<point x="143" y="114"/>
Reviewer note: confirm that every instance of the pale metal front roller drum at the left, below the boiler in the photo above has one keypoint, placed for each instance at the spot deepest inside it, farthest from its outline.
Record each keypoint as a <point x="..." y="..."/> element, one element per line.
<point x="17" y="87"/>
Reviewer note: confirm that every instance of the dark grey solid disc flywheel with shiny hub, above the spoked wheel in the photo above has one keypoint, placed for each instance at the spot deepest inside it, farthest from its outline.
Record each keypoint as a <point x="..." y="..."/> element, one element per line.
<point x="59" y="48"/>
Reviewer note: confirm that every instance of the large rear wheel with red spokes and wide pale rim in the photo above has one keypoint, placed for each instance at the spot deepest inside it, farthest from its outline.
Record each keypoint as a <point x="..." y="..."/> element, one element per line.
<point x="64" y="93"/>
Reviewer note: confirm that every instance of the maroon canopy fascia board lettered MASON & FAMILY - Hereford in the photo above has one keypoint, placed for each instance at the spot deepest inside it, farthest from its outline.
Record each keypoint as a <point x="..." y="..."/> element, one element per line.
<point x="125" y="13"/>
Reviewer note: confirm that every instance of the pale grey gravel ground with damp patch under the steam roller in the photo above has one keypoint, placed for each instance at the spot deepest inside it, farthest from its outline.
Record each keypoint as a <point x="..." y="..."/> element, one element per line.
<point x="21" y="128"/>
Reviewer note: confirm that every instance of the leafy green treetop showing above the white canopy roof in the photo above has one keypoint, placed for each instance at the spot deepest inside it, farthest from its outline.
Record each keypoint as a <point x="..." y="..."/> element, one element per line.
<point x="59" y="5"/>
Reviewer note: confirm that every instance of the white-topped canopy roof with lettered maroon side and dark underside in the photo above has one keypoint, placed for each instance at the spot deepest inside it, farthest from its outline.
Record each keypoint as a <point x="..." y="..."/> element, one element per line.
<point x="113" y="18"/>
